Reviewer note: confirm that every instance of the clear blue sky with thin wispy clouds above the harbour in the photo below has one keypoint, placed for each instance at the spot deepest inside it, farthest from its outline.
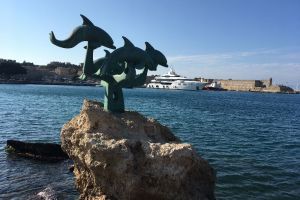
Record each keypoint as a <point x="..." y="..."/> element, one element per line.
<point x="238" y="39"/>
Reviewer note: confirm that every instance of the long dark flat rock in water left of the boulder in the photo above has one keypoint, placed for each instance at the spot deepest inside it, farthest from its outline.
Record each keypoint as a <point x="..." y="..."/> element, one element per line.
<point x="42" y="151"/>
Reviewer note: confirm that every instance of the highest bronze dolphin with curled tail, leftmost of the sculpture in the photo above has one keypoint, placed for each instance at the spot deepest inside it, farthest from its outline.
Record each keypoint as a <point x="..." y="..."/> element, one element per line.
<point x="86" y="32"/>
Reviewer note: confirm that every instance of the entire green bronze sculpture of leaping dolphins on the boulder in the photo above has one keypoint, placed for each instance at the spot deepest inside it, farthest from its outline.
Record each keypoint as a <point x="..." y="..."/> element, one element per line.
<point x="118" y="68"/>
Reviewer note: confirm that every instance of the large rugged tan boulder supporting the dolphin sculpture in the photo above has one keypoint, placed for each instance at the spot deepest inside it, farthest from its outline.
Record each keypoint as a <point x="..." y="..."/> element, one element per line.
<point x="128" y="156"/>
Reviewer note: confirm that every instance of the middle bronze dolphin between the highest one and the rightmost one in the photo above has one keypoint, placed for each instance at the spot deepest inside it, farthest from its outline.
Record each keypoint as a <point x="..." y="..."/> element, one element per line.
<point x="133" y="56"/>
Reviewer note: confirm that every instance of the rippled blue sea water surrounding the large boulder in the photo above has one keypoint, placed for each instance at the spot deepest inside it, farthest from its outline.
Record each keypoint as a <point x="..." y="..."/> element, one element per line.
<point x="251" y="139"/>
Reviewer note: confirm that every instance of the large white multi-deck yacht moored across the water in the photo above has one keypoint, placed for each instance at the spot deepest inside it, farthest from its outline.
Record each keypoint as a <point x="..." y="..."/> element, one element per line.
<point x="171" y="80"/>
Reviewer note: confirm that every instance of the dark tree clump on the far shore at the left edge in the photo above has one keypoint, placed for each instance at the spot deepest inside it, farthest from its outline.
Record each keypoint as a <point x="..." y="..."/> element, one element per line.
<point x="11" y="67"/>
